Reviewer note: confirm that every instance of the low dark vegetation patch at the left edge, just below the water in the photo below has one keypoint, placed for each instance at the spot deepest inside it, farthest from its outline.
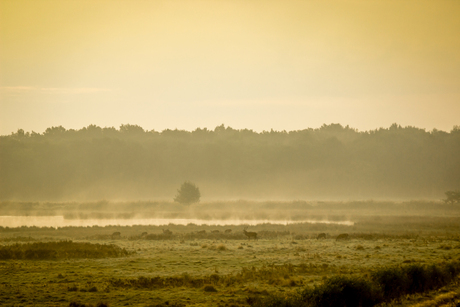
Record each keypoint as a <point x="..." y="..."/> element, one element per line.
<point x="60" y="250"/>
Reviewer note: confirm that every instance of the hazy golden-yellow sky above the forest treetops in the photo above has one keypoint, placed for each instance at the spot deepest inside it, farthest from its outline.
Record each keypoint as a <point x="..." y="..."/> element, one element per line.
<point x="263" y="64"/>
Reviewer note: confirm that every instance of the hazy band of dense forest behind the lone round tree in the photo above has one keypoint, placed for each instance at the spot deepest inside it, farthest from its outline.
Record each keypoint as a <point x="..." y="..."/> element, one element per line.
<point x="332" y="162"/>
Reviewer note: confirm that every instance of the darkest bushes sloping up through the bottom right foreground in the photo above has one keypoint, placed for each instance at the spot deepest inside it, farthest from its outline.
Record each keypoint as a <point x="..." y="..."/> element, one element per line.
<point x="382" y="286"/>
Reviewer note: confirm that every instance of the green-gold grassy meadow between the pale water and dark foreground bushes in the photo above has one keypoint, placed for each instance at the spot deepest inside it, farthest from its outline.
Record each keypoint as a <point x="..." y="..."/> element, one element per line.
<point x="189" y="268"/>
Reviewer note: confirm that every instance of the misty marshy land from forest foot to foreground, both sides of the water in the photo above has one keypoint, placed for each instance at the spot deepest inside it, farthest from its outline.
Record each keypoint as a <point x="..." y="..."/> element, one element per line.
<point x="218" y="265"/>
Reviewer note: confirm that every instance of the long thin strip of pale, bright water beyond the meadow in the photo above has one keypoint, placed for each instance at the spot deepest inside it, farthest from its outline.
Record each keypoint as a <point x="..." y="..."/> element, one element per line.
<point x="60" y="221"/>
